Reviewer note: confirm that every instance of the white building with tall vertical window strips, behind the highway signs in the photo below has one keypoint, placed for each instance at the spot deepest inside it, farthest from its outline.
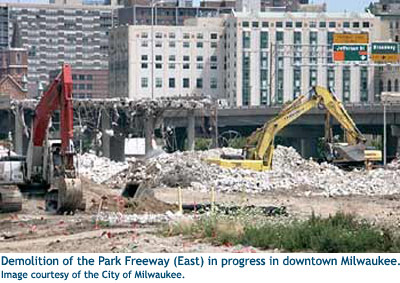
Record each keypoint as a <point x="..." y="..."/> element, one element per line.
<point x="274" y="57"/>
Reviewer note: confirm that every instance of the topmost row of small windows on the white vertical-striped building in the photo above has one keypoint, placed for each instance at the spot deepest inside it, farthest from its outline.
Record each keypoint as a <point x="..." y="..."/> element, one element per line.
<point x="288" y="24"/>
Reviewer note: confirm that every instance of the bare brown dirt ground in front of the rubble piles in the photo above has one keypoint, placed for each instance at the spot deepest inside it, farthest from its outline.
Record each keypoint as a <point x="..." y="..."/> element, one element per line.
<point x="33" y="230"/>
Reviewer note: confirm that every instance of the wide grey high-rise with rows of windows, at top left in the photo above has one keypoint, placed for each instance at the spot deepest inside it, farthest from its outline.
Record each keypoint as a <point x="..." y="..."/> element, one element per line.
<point x="60" y="33"/>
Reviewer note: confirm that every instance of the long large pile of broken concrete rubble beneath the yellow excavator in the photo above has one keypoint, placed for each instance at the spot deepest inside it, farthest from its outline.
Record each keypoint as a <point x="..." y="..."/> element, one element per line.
<point x="290" y="172"/>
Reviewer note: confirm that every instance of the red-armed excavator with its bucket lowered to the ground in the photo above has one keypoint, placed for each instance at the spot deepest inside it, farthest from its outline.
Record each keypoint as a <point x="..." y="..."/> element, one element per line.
<point x="49" y="166"/>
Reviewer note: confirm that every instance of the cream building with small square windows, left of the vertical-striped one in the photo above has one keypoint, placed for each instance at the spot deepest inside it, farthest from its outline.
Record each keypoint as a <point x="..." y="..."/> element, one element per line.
<point x="188" y="60"/>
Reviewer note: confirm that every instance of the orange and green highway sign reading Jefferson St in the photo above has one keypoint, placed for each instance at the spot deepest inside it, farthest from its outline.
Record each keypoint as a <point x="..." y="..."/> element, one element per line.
<point x="350" y="52"/>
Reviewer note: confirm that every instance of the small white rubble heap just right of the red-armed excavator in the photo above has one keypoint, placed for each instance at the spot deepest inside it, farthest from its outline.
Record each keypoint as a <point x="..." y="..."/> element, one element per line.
<point x="99" y="169"/>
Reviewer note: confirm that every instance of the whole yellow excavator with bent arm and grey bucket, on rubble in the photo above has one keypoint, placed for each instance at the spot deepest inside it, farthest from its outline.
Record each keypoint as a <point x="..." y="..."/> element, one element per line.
<point x="258" y="152"/>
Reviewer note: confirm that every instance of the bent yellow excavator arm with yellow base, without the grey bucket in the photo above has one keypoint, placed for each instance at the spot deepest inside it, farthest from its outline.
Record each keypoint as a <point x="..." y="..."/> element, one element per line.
<point x="258" y="151"/>
